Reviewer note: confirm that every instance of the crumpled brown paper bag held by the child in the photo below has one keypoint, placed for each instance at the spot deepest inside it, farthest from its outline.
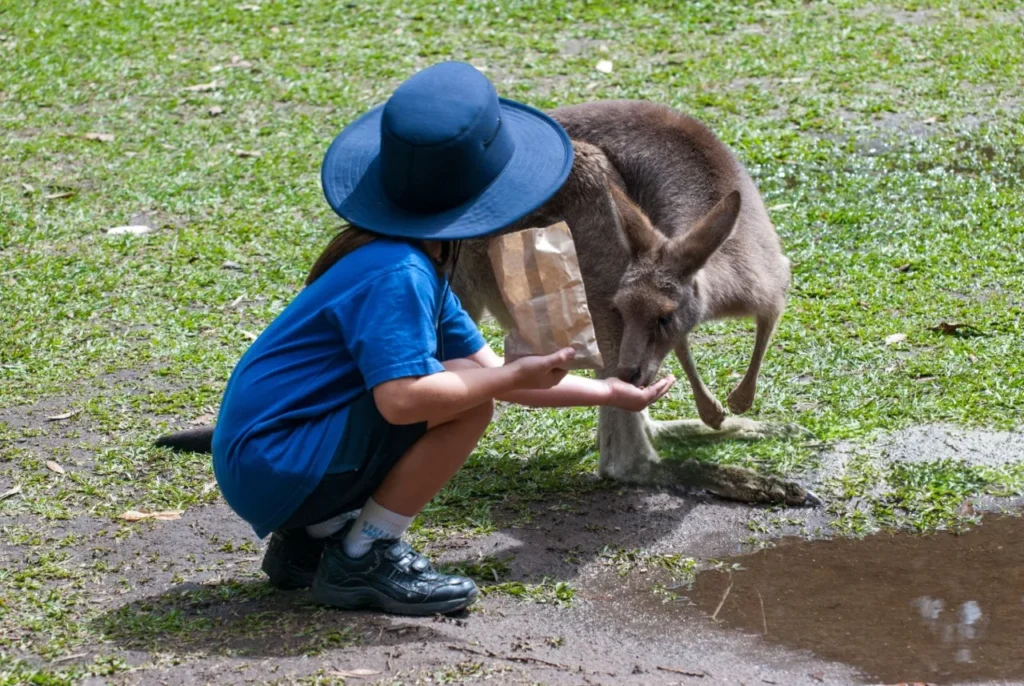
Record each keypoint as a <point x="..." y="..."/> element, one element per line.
<point x="539" y="277"/>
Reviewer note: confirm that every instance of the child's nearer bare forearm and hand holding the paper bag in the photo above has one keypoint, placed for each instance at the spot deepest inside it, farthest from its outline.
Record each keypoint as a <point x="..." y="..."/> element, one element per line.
<point x="438" y="398"/>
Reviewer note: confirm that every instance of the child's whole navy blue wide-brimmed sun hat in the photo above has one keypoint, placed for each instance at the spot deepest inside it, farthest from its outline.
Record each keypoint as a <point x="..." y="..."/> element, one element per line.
<point x="445" y="159"/>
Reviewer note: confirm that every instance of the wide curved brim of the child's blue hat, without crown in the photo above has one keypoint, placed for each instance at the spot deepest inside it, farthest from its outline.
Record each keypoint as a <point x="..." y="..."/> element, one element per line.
<point x="541" y="163"/>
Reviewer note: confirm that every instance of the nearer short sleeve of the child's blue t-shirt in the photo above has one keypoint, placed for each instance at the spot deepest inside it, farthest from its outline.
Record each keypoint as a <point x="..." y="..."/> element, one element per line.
<point x="390" y="326"/>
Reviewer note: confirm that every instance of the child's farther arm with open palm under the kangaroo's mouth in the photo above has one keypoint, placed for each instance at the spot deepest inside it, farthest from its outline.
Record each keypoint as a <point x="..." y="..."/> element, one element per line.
<point x="578" y="392"/>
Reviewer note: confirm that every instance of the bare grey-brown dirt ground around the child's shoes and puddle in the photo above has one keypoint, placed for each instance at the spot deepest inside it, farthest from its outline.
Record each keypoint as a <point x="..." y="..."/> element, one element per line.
<point x="184" y="602"/>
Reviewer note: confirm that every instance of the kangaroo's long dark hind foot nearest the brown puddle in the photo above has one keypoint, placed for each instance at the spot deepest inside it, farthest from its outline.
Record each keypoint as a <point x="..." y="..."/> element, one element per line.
<point x="732" y="483"/>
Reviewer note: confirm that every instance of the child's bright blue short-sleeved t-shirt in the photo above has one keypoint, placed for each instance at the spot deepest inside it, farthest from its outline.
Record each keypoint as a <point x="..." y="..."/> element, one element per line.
<point x="370" y="319"/>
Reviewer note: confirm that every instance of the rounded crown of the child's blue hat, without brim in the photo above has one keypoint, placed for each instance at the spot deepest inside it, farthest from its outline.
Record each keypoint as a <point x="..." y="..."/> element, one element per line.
<point x="442" y="139"/>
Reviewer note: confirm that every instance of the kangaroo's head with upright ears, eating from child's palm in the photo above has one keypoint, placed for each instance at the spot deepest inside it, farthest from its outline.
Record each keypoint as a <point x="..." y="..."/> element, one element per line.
<point x="660" y="296"/>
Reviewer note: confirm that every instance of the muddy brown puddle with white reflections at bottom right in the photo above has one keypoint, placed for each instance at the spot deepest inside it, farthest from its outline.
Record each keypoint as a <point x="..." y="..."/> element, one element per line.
<point x="943" y="609"/>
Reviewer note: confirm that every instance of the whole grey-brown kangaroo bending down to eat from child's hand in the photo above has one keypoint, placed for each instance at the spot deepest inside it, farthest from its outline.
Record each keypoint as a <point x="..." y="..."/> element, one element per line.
<point x="670" y="232"/>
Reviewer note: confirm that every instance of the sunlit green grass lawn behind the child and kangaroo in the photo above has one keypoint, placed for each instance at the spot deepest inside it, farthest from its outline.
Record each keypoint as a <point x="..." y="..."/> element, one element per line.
<point x="893" y="226"/>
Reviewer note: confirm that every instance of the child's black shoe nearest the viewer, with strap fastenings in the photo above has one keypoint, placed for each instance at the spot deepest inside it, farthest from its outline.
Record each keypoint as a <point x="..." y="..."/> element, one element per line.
<point x="393" y="578"/>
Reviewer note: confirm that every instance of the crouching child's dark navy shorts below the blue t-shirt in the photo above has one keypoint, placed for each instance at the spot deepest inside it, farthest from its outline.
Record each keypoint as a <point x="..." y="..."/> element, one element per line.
<point x="369" y="442"/>
